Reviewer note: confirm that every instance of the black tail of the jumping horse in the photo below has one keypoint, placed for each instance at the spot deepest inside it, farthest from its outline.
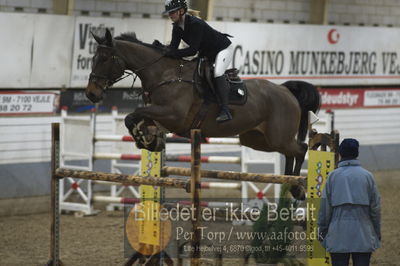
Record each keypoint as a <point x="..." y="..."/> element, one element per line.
<point x="309" y="99"/>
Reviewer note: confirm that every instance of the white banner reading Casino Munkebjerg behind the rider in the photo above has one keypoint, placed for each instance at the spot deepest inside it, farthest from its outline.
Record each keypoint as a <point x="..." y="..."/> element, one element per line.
<point x="322" y="55"/>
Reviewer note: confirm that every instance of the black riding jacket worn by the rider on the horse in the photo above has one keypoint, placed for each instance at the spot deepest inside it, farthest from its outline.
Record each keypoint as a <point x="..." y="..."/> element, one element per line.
<point x="200" y="37"/>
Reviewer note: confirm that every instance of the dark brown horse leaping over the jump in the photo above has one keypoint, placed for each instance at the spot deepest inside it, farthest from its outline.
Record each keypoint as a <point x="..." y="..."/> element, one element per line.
<point x="274" y="117"/>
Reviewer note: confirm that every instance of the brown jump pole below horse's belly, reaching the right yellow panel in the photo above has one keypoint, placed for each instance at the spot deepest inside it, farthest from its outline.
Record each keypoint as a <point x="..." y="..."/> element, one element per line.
<point x="237" y="176"/>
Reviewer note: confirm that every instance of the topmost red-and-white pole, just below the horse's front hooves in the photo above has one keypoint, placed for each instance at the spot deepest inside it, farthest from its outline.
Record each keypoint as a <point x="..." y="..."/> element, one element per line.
<point x="168" y="157"/>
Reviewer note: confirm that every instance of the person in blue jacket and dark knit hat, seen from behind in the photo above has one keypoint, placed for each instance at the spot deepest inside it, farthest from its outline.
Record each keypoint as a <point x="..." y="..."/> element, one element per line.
<point x="349" y="218"/>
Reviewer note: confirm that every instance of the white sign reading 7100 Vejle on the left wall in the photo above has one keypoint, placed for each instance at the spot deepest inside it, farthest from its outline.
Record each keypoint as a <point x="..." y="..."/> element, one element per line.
<point x="12" y="103"/>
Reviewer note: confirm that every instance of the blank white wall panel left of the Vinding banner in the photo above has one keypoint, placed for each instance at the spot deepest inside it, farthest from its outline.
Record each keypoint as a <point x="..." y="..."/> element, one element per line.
<point x="36" y="51"/>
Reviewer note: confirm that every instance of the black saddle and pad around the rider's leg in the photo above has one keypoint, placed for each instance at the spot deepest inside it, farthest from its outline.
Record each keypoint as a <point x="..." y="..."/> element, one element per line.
<point x="204" y="80"/>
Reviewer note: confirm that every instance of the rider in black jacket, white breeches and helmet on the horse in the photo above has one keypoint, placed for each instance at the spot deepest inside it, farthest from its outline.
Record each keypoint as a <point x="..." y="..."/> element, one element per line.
<point x="201" y="38"/>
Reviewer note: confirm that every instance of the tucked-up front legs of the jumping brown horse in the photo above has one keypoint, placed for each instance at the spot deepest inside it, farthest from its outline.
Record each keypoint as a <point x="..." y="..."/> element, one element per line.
<point x="142" y="128"/>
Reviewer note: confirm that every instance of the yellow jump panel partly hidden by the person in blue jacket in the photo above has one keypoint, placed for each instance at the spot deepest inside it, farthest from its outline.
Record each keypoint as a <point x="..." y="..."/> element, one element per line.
<point x="320" y="164"/>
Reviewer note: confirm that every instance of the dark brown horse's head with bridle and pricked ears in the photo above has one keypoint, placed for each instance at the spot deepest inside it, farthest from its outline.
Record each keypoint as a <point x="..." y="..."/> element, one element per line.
<point x="107" y="67"/>
